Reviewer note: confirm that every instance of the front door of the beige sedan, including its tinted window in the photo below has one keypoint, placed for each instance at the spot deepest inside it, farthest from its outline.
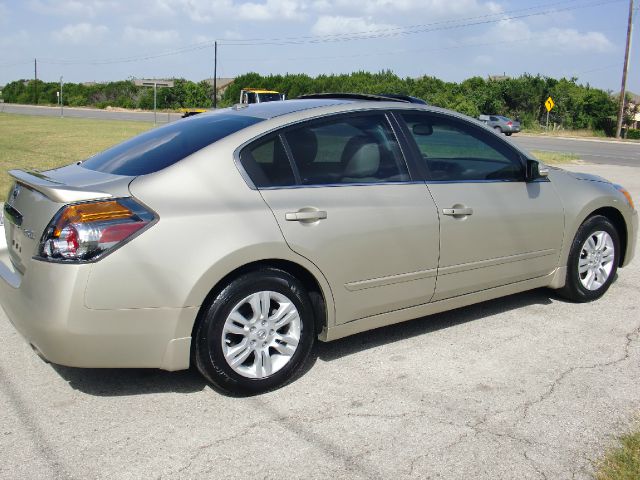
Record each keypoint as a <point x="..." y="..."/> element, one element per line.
<point x="495" y="227"/>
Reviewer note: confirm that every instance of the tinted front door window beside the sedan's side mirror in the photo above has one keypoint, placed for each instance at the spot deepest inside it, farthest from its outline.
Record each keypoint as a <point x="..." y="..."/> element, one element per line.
<point x="453" y="150"/>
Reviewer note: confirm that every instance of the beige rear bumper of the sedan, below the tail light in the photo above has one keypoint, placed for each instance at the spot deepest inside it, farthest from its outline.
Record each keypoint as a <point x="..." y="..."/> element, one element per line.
<point x="46" y="306"/>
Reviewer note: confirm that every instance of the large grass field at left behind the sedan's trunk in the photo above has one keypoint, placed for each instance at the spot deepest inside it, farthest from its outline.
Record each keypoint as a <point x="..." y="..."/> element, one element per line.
<point x="42" y="143"/>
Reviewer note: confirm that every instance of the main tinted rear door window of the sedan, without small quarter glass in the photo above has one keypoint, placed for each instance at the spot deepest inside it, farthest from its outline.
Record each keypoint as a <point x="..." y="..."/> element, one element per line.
<point x="347" y="149"/>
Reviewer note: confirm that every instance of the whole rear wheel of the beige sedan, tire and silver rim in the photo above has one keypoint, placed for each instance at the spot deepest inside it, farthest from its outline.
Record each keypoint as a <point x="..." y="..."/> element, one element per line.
<point x="256" y="334"/>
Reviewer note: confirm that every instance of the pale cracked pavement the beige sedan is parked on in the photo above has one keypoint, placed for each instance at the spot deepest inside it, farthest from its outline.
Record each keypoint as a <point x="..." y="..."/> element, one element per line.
<point x="524" y="387"/>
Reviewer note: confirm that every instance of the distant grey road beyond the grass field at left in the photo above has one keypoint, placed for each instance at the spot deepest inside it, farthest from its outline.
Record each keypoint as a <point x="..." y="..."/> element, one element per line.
<point x="88" y="113"/>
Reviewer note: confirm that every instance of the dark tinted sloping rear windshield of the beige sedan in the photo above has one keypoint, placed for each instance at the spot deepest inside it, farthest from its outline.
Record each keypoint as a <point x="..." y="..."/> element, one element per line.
<point x="164" y="146"/>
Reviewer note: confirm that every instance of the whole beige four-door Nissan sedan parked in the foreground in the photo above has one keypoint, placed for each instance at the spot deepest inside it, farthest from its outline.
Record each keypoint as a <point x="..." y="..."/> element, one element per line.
<point x="235" y="239"/>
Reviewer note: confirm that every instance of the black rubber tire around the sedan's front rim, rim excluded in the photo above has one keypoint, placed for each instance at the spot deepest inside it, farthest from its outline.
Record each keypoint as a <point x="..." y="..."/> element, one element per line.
<point x="574" y="289"/>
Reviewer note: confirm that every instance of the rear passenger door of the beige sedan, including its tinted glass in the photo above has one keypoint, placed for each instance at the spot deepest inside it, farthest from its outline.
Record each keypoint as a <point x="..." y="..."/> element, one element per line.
<point x="350" y="207"/>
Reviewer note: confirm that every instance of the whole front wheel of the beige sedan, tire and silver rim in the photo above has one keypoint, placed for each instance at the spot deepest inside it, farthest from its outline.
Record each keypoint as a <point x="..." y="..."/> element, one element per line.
<point x="593" y="260"/>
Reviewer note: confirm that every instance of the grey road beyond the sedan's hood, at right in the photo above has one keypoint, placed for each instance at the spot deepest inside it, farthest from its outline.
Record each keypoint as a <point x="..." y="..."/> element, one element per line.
<point x="591" y="151"/>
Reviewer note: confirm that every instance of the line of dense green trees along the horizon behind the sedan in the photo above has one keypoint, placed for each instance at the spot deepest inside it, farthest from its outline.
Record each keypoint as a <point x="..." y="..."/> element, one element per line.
<point x="577" y="106"/>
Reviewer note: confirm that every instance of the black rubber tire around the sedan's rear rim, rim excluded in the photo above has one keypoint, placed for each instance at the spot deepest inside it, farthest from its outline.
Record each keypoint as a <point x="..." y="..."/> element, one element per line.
<point x="209" y="356"/>
